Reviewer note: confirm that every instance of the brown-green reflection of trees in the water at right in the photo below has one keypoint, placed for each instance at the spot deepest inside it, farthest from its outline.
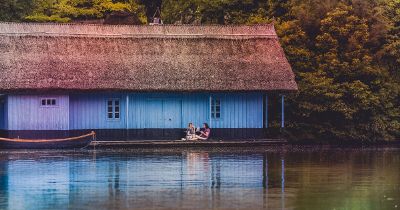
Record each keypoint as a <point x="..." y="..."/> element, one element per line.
<point x="345" y="179"/>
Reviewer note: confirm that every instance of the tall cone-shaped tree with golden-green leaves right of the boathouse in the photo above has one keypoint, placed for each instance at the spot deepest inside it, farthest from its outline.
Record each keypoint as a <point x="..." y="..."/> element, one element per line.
<point x="359" y="86"/>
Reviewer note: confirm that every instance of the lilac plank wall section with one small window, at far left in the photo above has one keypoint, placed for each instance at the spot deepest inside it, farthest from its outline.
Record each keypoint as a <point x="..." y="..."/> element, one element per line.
<point x="26" y="113"/>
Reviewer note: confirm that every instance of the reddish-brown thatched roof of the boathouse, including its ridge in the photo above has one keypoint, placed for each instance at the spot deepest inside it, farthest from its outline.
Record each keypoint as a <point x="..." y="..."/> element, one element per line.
<point x="142" y="58"/>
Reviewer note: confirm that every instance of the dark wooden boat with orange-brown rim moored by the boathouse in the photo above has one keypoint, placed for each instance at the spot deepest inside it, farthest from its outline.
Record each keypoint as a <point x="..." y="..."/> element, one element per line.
<point x="66" y="143"/>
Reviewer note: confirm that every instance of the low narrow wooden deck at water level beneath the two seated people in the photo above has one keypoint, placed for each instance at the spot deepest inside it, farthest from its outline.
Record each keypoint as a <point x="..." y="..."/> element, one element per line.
<point x="181" y="143"/>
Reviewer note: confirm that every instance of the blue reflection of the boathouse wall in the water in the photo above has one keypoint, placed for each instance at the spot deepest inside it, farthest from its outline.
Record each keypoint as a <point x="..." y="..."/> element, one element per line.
<point x="207" y="180"/>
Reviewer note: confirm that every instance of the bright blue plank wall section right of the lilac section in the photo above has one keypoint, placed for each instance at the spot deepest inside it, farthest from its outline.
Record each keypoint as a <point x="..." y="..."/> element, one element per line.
<point x="165" y="110"/>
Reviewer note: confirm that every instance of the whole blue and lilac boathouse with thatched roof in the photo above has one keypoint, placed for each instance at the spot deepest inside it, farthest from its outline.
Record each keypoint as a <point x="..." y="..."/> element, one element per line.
<point x="140" y="82"/>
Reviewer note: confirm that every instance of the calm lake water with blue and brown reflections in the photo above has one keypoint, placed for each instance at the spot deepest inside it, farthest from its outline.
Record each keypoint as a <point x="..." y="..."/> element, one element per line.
<point x="230" y="178"/>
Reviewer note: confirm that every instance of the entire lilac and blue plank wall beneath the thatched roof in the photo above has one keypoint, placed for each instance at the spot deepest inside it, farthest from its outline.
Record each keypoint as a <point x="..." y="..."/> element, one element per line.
<point x="85" y="111"/>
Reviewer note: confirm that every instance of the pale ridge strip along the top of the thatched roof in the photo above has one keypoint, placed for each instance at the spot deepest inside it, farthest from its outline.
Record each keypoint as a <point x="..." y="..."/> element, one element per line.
<point x="133" y="30"/>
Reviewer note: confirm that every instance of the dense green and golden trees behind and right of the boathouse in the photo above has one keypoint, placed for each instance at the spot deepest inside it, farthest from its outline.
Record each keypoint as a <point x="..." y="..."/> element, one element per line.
<point x="345" y="53"/>
